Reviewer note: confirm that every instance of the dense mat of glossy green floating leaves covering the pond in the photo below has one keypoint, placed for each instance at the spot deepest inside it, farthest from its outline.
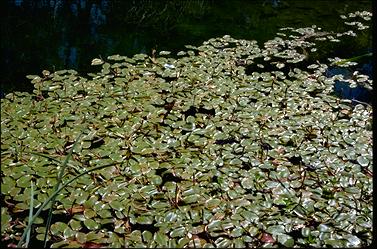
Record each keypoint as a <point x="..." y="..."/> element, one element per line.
<point x="207" y="150"/>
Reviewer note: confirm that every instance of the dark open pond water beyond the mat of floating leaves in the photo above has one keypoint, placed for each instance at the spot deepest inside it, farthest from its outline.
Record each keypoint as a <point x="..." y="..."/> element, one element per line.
<point x="58" y="34"/>
